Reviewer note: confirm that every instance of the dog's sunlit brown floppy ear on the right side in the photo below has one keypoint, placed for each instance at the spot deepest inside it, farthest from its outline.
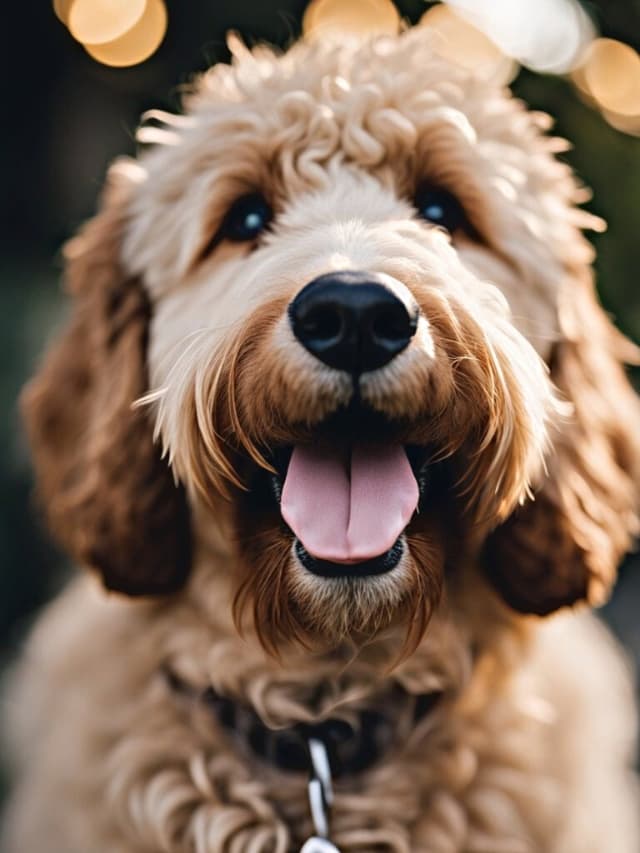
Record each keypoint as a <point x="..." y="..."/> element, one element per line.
<point x="565" y="546"/>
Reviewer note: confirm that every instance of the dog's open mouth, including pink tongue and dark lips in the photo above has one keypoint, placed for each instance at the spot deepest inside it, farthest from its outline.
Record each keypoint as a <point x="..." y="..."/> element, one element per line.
<point x="348" y="496"/>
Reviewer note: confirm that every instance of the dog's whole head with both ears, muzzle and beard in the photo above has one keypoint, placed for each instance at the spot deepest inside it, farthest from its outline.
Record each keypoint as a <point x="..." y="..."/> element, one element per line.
<point x="341" y="324"/>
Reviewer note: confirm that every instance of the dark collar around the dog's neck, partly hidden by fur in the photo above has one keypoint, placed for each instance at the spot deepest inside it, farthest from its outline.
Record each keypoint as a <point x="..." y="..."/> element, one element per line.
<point x="352" y="747"/>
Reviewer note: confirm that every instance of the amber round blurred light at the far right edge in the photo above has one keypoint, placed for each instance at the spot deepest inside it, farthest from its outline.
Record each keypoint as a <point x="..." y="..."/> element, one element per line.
<point x="610" y="73"/>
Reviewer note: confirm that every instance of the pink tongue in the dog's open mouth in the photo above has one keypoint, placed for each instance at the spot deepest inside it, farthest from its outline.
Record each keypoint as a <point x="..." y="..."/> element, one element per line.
<point x="348" y="506"/>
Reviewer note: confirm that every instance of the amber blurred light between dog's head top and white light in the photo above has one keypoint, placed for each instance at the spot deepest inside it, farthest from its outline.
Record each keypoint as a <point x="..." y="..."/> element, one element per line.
<point x="459" y="41"/>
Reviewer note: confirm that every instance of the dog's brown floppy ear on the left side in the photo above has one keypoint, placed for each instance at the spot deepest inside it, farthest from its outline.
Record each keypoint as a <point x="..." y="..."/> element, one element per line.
<point x="110" y="498"/>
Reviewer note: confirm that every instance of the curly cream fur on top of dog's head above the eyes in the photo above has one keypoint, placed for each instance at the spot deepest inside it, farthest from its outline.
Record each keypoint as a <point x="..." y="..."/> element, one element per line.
<point x="391" y="107"/>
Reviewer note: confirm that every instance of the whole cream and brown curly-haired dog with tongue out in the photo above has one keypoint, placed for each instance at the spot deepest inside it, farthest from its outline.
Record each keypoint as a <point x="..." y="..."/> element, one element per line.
<point x="339" y="425"/>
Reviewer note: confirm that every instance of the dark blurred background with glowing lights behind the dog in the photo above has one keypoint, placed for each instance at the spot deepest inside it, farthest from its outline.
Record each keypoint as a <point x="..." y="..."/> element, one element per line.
<point x="78" y="74"/>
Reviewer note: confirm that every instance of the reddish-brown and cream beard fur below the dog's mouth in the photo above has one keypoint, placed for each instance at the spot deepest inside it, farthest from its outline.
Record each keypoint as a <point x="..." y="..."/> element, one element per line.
<point x="287" y="602"/>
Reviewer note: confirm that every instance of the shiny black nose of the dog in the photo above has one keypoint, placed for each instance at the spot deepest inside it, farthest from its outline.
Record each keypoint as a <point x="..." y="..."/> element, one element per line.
<point x="352" y="321"/>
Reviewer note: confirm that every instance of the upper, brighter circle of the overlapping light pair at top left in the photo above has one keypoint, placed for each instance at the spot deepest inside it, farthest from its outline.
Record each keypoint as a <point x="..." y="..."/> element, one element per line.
<point x="101" y="21"/>
